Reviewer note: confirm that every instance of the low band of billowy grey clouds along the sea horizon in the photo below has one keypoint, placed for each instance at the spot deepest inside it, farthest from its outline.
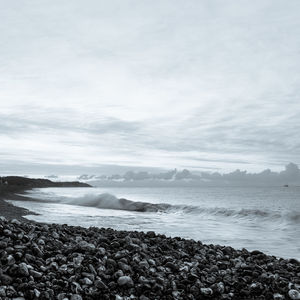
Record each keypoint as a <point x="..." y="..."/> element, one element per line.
<point x="289" y="176"/>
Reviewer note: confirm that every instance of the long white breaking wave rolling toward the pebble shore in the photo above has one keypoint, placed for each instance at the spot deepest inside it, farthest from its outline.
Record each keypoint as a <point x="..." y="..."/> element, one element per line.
<point x="109" y="201"/>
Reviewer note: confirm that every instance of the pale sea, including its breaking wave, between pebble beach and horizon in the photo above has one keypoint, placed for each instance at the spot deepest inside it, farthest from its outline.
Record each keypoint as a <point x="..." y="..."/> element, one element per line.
<point x="262" y="218"/>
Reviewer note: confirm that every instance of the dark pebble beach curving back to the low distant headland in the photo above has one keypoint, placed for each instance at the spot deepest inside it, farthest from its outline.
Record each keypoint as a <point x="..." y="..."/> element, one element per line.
<point x="42" y="261"/>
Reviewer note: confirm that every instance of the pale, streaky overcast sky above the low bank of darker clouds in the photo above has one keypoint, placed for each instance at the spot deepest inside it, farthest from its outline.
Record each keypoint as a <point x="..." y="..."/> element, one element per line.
<point x="100" y="85"/>
